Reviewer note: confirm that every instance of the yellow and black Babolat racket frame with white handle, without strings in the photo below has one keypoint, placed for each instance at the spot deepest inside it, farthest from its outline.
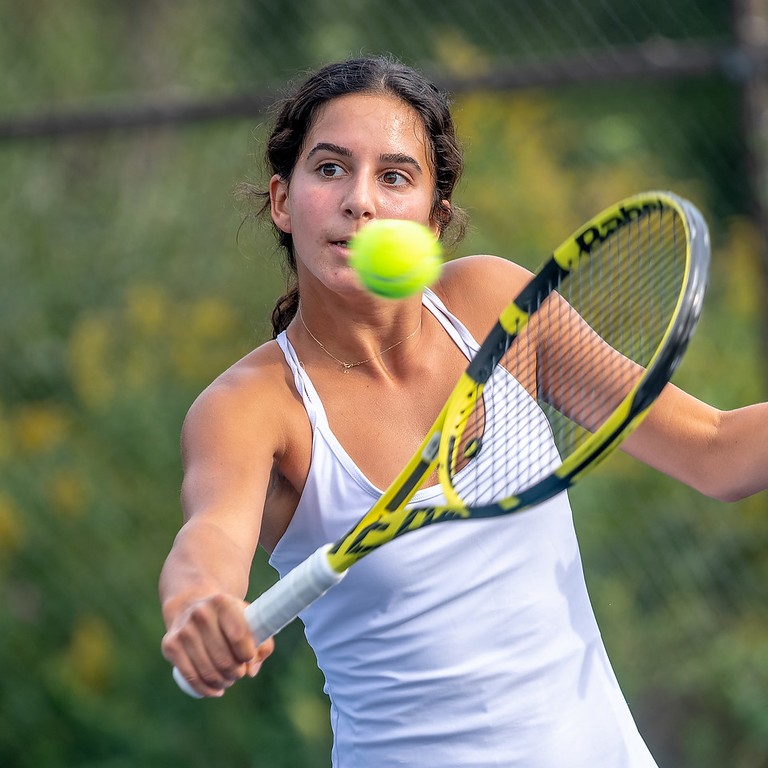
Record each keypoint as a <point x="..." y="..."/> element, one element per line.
<point x="389" y="517"/>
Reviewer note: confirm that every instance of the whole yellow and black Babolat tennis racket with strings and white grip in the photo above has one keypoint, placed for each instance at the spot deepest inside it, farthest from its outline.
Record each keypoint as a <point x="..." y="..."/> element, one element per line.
<point x="570" y="368"/>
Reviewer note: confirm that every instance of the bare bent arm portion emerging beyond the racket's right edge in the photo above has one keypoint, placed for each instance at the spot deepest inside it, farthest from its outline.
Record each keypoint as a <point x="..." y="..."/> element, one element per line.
<point x="723" y="454"/>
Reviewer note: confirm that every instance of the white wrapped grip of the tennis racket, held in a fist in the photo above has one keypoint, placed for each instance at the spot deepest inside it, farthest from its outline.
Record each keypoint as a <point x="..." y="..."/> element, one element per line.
<point x="283" y="601"/>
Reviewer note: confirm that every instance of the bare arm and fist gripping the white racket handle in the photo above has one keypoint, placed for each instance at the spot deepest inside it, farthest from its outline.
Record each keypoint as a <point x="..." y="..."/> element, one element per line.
<point x="229" y="444"/>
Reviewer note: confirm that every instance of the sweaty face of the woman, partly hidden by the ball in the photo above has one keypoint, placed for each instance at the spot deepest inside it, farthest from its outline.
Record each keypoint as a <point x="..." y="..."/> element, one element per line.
<point x="365" y="157"/>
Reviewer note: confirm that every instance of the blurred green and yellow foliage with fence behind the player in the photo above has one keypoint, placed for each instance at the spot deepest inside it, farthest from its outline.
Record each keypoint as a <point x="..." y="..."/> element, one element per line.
<point x="125" y="288"/>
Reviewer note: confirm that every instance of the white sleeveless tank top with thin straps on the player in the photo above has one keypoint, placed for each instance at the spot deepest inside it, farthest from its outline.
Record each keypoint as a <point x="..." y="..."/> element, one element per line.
<point x="470" y="643"/>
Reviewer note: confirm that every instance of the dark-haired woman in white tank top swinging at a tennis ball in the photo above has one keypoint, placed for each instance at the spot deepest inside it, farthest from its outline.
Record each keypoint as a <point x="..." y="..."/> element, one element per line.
<point x="292" y="444"/>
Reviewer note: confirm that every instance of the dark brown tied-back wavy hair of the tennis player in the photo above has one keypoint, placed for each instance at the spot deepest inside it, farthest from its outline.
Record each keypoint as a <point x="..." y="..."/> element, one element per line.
<point x="294" y="119"/>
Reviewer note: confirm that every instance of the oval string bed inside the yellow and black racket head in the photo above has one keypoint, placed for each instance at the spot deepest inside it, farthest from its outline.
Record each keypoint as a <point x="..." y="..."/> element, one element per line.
<point x="579" y="357"/>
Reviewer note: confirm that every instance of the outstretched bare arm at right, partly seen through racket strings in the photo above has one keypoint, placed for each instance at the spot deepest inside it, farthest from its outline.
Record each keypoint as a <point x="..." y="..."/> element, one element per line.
<point x="723" y="454"/>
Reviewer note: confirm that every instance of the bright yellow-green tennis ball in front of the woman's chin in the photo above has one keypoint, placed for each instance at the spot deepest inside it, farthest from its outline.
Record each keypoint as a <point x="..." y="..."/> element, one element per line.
<point x="395" y="258"/>
